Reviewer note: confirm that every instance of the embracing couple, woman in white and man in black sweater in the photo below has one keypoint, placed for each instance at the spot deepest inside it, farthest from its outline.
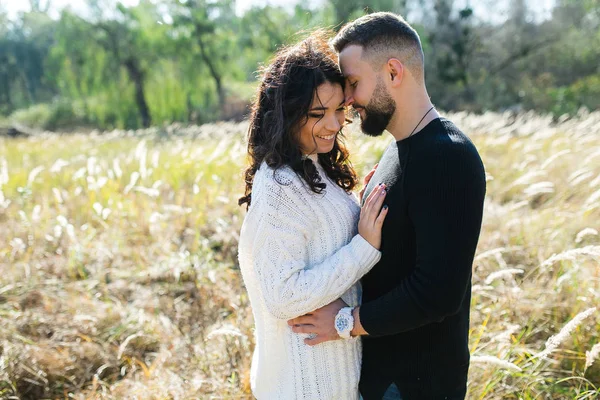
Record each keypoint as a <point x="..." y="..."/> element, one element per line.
<point x="360" y="297"/>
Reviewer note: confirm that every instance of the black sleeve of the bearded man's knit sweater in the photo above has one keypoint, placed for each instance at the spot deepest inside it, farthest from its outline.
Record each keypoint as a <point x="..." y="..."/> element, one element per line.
<point x="445" y="207"/>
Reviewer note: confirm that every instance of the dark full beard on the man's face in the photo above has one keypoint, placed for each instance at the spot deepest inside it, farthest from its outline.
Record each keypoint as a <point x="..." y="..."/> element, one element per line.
<point x="378" y="112"/>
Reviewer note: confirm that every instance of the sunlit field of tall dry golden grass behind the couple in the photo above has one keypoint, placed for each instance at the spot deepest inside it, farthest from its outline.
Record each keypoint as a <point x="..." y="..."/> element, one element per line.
<point x="119" y="275"/>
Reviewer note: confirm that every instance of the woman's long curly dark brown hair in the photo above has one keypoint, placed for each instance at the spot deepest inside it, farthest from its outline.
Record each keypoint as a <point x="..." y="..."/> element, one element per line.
<point x="281" y="109"/>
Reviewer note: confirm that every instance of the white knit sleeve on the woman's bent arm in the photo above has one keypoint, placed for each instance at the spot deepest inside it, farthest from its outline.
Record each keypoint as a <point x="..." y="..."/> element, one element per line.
<point x="289" y="284"/>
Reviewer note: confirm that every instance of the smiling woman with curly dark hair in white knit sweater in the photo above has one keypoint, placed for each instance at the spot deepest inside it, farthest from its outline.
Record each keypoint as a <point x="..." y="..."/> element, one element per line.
<point x="299" y="248"/>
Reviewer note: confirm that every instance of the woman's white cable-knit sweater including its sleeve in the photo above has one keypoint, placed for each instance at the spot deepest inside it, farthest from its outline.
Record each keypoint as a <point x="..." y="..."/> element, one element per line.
<point x="299" y="251"/>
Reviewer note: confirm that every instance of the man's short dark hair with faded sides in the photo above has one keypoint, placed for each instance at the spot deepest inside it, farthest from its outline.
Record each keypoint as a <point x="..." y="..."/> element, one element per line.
<point x="382" y="36"/>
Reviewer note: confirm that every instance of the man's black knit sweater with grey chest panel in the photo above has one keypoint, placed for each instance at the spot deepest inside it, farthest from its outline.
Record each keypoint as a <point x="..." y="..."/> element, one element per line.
<point x="416" y="299"/>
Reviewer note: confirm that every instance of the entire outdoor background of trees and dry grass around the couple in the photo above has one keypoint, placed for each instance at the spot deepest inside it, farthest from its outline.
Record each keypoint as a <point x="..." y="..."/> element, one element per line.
<point x="122" y="147"/>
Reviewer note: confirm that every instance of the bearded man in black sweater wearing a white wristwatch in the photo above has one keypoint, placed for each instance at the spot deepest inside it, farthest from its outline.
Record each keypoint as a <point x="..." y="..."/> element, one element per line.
<point x="414" y="317"/>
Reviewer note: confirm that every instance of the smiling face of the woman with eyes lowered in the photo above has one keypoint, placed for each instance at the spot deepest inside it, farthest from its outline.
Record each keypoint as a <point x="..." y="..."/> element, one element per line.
<point x="325" y="119"/>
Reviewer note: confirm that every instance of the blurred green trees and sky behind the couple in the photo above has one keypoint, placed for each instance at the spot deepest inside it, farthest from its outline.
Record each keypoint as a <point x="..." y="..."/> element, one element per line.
<point x="68" y="64"/>
